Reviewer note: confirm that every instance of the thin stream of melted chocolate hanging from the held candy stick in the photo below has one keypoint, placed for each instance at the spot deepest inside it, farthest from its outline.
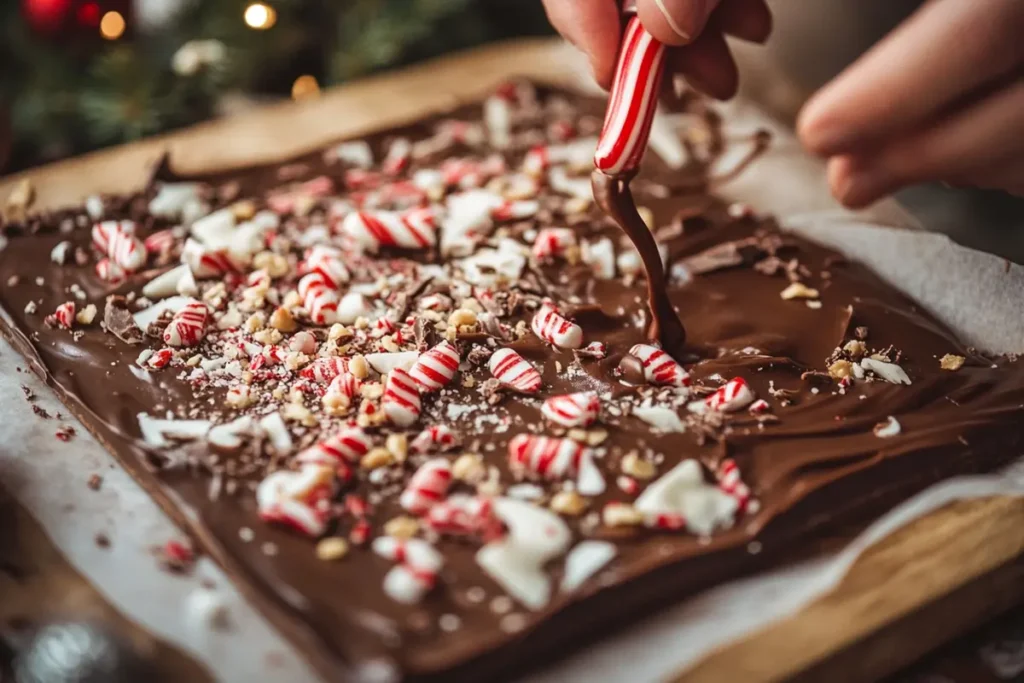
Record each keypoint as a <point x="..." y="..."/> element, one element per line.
<point x="664" y="326"/>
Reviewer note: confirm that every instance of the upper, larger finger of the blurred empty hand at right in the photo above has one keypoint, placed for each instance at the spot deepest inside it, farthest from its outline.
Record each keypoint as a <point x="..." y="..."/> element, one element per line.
<point x="947" y="51"/>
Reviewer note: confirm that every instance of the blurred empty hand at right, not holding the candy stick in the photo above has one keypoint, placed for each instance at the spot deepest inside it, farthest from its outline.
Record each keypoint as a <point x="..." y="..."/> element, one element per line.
<point x="941" y="99"/>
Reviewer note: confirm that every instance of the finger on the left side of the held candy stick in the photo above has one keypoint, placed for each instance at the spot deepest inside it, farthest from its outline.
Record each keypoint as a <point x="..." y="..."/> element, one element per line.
<point x="594" y="27"/>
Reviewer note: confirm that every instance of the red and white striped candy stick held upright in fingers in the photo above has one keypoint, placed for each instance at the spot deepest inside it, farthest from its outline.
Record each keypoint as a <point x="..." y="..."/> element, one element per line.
<point x="632" y="103"/>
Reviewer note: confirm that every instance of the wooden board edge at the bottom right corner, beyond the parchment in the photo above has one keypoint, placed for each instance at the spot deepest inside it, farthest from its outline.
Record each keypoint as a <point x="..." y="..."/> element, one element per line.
<point x="934" y="579"/>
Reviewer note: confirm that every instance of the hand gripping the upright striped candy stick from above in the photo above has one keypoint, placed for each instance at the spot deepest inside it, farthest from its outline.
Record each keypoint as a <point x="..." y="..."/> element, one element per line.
<point x="595" y="27"/>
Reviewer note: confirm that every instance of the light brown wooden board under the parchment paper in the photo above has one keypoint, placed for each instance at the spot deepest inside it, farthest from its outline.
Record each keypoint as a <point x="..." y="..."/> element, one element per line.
<point x="935" y="579"/>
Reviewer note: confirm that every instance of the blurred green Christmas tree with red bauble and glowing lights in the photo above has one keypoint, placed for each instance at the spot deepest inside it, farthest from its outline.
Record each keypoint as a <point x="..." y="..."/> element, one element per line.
<point x="83" y="74"/>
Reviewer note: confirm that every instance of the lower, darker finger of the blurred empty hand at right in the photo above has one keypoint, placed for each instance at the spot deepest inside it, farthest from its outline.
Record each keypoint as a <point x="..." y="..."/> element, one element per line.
<point x="983" y="142"/>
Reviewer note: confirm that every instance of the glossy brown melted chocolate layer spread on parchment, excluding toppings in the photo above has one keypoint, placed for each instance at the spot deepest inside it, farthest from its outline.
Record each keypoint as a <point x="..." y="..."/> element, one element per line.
<point x="814" y="461"/>
